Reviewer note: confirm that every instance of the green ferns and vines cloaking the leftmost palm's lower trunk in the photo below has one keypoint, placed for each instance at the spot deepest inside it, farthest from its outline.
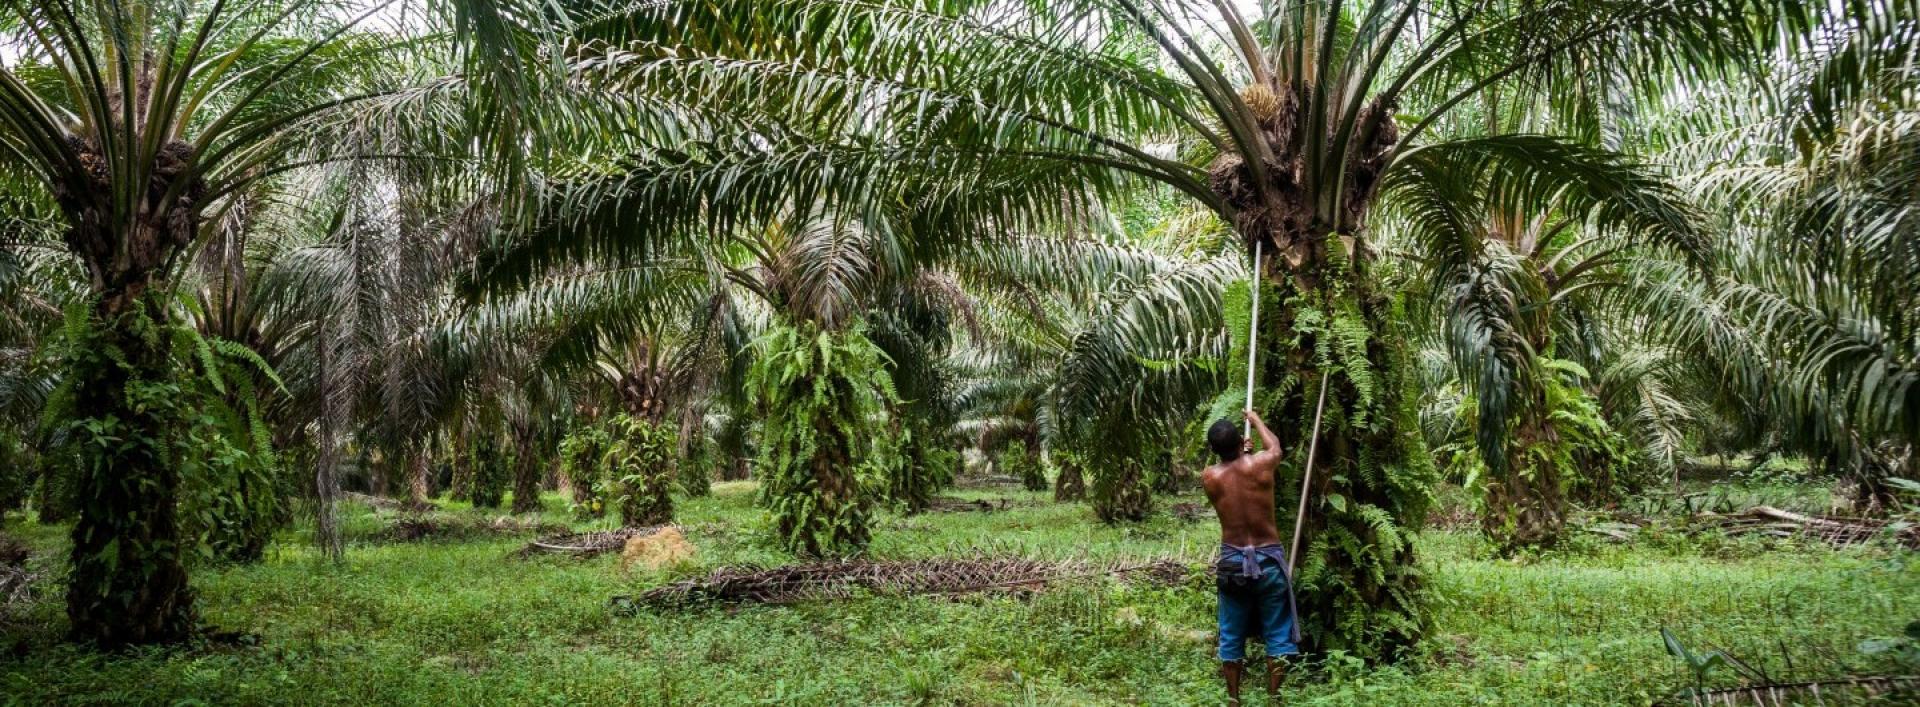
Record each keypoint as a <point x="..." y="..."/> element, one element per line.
<point x="164" y="460"/>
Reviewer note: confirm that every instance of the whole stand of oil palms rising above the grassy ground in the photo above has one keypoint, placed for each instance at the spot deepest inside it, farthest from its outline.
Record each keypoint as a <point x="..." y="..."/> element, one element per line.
<point x="260" y="253"/>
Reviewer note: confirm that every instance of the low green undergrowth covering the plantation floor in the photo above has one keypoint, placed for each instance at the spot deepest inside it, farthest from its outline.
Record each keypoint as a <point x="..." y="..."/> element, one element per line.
<point x="462" y="622"/>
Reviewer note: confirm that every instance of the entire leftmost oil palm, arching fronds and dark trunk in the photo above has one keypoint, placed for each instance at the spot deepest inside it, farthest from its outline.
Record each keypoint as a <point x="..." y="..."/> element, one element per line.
<point x="143" y="124"/>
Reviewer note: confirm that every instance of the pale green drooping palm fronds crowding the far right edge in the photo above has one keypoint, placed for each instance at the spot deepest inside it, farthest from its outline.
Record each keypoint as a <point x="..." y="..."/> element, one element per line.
<point x="1810" y="170"/>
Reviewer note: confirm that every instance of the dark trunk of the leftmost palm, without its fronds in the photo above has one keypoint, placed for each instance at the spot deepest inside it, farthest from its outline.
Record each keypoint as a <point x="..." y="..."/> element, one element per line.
<point x="128" y="583"/>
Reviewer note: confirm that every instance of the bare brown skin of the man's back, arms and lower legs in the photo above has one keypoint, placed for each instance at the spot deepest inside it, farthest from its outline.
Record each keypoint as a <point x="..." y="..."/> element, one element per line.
<point x="1241" y="493"/>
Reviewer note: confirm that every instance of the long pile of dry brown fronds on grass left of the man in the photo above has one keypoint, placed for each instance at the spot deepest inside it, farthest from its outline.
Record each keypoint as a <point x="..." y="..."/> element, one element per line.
<point x="907" y="577"/>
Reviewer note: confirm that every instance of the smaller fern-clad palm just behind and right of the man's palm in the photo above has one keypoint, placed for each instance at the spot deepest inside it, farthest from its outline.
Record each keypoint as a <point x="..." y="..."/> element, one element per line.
<point x="1516" y="253"/>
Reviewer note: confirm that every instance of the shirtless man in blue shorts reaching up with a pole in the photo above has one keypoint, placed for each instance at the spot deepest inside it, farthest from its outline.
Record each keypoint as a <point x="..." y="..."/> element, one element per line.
<point x="1251" y="575"/>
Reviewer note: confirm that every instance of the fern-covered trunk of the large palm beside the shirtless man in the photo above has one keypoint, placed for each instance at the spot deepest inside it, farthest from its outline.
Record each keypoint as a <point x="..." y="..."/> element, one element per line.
<point x="1358" y="579"/>
